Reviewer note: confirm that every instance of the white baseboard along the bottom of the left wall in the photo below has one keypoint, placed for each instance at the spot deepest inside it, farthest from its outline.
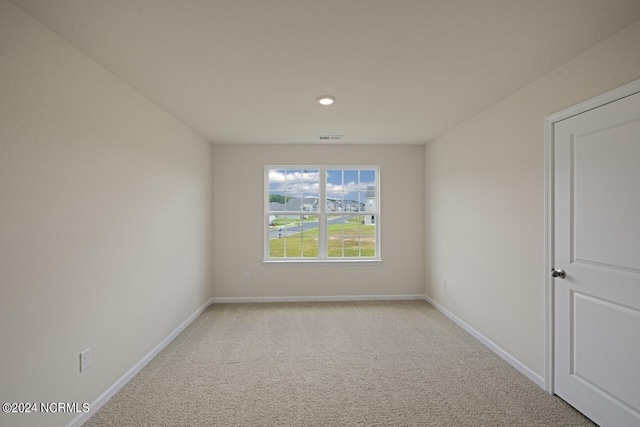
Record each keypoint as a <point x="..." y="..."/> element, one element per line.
<point x="113" y="389"/>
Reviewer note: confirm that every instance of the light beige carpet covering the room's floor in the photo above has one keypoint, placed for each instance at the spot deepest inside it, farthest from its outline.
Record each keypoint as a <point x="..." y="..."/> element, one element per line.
<point x="330" y="364"/>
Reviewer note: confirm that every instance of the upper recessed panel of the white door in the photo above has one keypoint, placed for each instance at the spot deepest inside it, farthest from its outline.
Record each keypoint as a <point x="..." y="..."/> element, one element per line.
<point x="605" y="164"/>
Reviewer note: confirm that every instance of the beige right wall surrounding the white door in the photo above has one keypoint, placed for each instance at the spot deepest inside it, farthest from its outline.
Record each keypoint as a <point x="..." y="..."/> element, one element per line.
<point x="485" y="201"/>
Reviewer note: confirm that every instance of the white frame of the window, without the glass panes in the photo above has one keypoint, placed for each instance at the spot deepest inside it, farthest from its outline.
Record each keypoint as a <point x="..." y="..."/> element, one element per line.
<point x="322" y="217"/>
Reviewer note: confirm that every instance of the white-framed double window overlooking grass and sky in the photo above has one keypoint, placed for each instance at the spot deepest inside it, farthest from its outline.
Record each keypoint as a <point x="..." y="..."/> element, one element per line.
<point x="322" y="213"/>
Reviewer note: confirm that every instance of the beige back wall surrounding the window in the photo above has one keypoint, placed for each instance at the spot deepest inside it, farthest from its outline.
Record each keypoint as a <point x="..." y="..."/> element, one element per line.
<point x="238" y="177"/>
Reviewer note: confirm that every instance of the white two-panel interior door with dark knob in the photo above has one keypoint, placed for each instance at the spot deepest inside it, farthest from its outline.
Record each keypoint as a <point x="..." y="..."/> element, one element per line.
<point x="597" y="245"/>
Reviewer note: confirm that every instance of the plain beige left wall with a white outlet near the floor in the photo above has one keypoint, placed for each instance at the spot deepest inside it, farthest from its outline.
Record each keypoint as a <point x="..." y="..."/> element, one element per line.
<point x="105" y="222"/>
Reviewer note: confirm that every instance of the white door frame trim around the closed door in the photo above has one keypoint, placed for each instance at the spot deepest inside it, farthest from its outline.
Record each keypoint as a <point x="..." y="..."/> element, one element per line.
<point x="549" y="145"/>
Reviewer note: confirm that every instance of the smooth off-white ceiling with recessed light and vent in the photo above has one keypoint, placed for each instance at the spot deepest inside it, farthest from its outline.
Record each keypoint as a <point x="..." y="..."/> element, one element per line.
<point x="403" y="71"/>
